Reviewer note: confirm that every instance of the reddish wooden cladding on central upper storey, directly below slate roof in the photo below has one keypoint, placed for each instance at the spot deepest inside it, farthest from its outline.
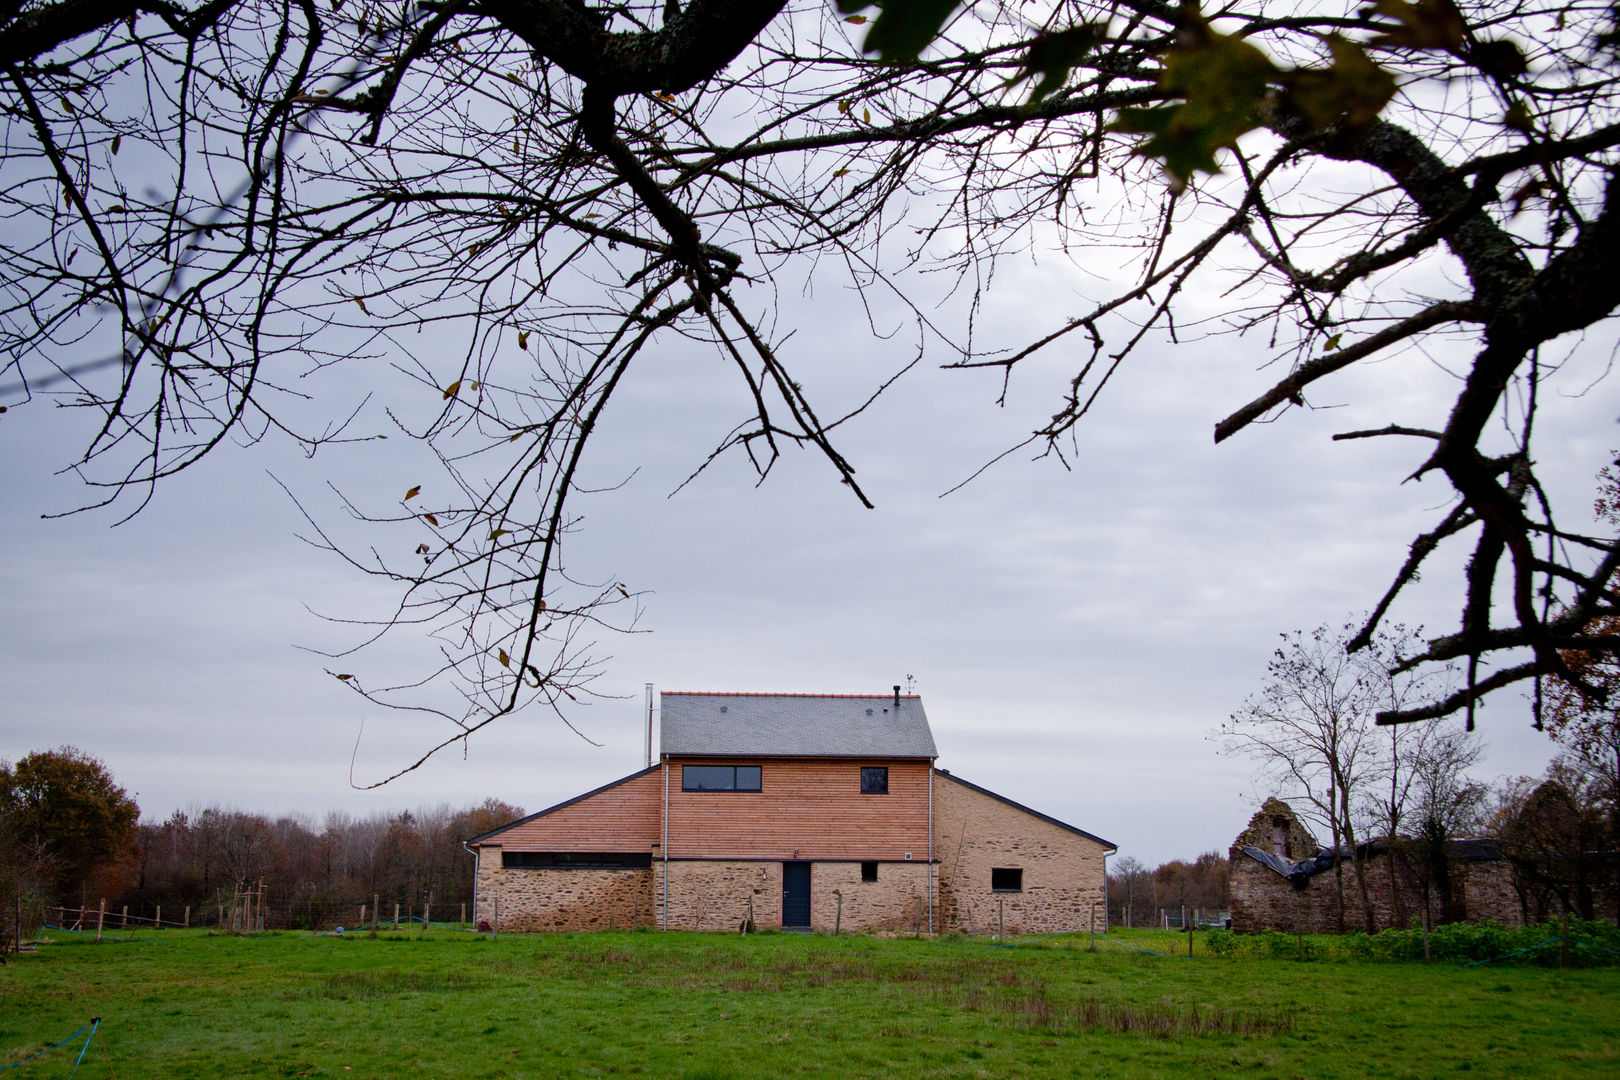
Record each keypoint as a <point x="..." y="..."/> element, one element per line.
<point x="808" y="809"/>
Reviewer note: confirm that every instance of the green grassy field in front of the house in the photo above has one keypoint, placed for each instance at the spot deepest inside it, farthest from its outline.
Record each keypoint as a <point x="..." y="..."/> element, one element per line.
<point x="182" y="1005"/>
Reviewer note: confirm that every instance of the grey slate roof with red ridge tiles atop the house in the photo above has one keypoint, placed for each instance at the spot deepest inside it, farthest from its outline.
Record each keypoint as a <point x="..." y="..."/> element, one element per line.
<point x="795" y="726"/>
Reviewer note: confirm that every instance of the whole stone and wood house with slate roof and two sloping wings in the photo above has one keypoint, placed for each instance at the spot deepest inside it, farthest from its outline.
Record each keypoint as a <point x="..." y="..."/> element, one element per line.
<point x="796" y="812"/>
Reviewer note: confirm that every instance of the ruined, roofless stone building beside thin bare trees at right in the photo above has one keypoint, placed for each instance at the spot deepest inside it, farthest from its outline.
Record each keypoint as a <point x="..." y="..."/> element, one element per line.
<point x="1284" y="880"/>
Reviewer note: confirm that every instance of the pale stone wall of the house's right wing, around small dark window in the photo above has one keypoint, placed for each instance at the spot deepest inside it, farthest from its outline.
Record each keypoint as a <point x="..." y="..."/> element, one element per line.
<point x="978" y="833"/>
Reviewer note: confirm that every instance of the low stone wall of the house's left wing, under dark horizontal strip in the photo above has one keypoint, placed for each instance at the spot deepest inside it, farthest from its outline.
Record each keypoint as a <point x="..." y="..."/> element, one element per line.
<point x="563" y="899"/>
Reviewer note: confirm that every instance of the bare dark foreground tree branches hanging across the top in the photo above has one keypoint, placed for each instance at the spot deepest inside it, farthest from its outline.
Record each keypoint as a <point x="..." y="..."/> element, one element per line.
<point x="568" y="184"/>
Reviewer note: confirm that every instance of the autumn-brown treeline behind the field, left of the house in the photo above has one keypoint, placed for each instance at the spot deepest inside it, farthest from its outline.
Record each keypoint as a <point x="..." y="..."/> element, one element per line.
<point x="72" y="838"/>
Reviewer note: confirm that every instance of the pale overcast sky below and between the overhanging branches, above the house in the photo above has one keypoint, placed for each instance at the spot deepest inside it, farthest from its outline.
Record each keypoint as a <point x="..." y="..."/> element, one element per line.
<point x="1075" y="634"/>
